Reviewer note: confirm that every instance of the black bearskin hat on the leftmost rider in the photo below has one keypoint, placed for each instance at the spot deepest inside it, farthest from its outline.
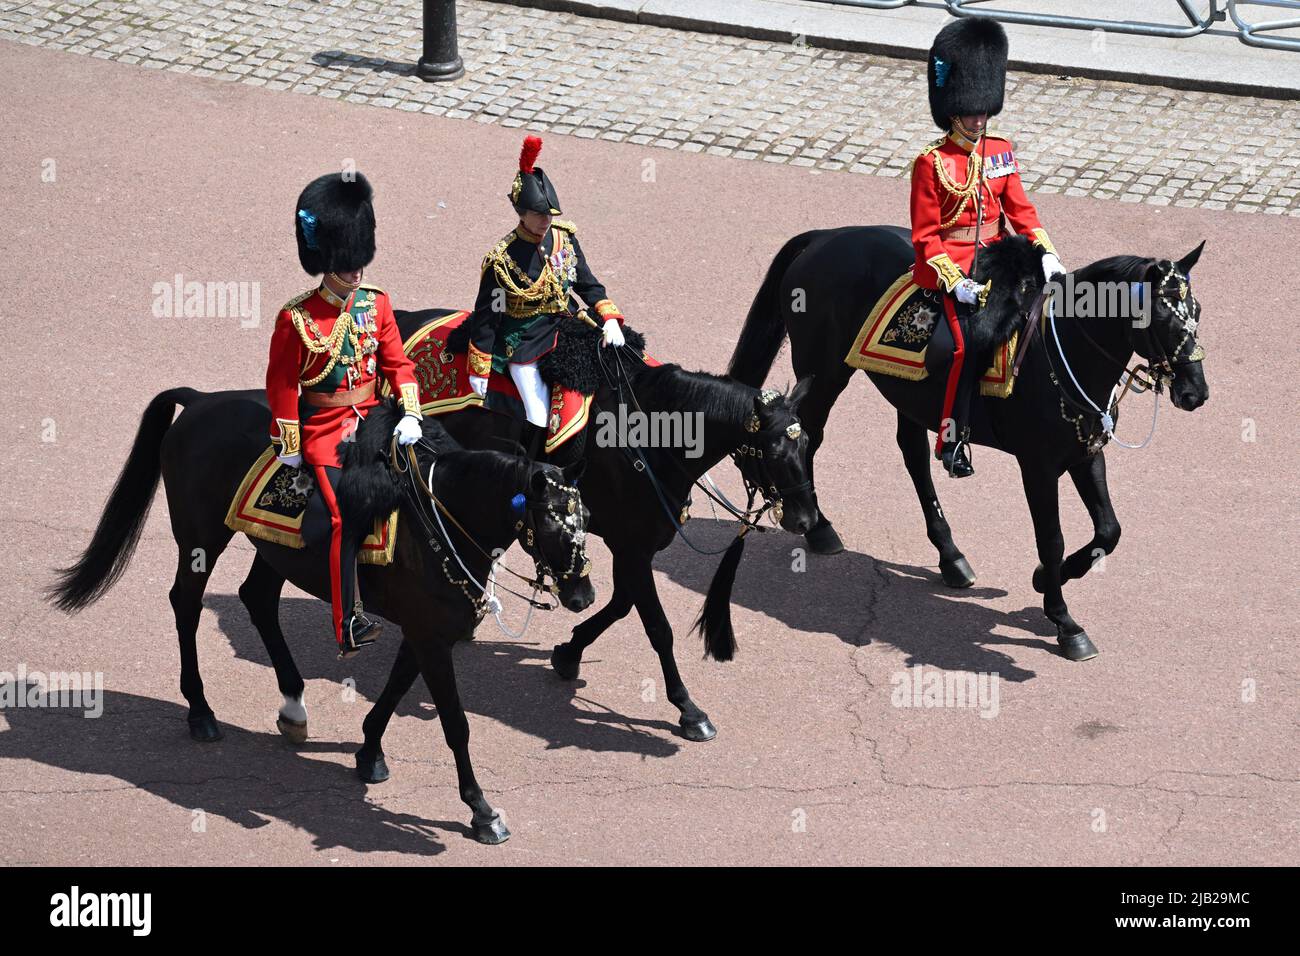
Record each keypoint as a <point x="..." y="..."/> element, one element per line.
<point x="335" y="222"/>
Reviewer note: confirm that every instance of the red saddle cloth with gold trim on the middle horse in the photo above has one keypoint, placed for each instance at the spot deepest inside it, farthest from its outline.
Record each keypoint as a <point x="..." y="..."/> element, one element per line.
<point x="444" y="380"/>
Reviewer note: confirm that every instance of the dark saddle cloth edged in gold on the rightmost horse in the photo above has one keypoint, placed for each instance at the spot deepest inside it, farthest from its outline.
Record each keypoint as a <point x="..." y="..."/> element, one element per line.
<point x="896" y="336"/>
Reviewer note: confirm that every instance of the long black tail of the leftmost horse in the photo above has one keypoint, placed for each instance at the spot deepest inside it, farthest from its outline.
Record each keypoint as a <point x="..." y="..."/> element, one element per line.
<point x="123" y="522"/>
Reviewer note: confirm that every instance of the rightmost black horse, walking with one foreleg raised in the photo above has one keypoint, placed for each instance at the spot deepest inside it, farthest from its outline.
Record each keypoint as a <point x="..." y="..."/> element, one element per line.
<point x="821" y="288"/>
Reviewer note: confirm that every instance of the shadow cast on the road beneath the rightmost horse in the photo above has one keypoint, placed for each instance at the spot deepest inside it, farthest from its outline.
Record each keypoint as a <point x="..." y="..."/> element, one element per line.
<point x="864" y="600"/>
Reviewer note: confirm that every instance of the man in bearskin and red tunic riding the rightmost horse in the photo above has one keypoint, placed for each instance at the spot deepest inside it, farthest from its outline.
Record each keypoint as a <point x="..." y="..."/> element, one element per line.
<point x="967" y="193"/>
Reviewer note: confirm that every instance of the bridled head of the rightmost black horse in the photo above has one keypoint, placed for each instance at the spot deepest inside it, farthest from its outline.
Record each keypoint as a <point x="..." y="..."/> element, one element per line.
<point x="1165" y="335"/>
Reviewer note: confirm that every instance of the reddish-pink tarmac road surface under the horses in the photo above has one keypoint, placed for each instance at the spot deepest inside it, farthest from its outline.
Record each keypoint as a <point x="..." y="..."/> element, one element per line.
<point x="1147" y="755"/>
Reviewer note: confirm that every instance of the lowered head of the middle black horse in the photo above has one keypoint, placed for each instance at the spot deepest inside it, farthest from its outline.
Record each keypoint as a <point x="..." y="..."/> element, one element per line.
<point x="774" y="458"/>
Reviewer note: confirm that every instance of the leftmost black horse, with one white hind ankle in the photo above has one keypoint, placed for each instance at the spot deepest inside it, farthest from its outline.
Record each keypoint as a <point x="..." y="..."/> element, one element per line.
<point x="205" y="455"/>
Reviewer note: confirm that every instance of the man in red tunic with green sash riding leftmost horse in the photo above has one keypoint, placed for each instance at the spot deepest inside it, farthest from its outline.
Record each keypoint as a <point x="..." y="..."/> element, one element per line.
<point x="328" y="351"/>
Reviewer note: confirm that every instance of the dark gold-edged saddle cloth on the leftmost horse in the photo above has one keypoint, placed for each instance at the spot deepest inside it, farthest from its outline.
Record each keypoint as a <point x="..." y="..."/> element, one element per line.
<point x="274" y="500"/>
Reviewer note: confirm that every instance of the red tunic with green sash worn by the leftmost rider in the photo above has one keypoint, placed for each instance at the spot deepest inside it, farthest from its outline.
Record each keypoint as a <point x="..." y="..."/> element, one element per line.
<point x="297" y="378"/>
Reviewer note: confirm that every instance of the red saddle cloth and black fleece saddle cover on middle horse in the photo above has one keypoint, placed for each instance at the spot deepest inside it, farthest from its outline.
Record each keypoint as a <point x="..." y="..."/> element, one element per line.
<point x="440" y="353"/>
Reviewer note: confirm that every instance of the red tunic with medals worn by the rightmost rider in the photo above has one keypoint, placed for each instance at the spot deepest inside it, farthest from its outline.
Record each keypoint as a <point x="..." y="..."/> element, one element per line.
<point x="944" y="207"/>
